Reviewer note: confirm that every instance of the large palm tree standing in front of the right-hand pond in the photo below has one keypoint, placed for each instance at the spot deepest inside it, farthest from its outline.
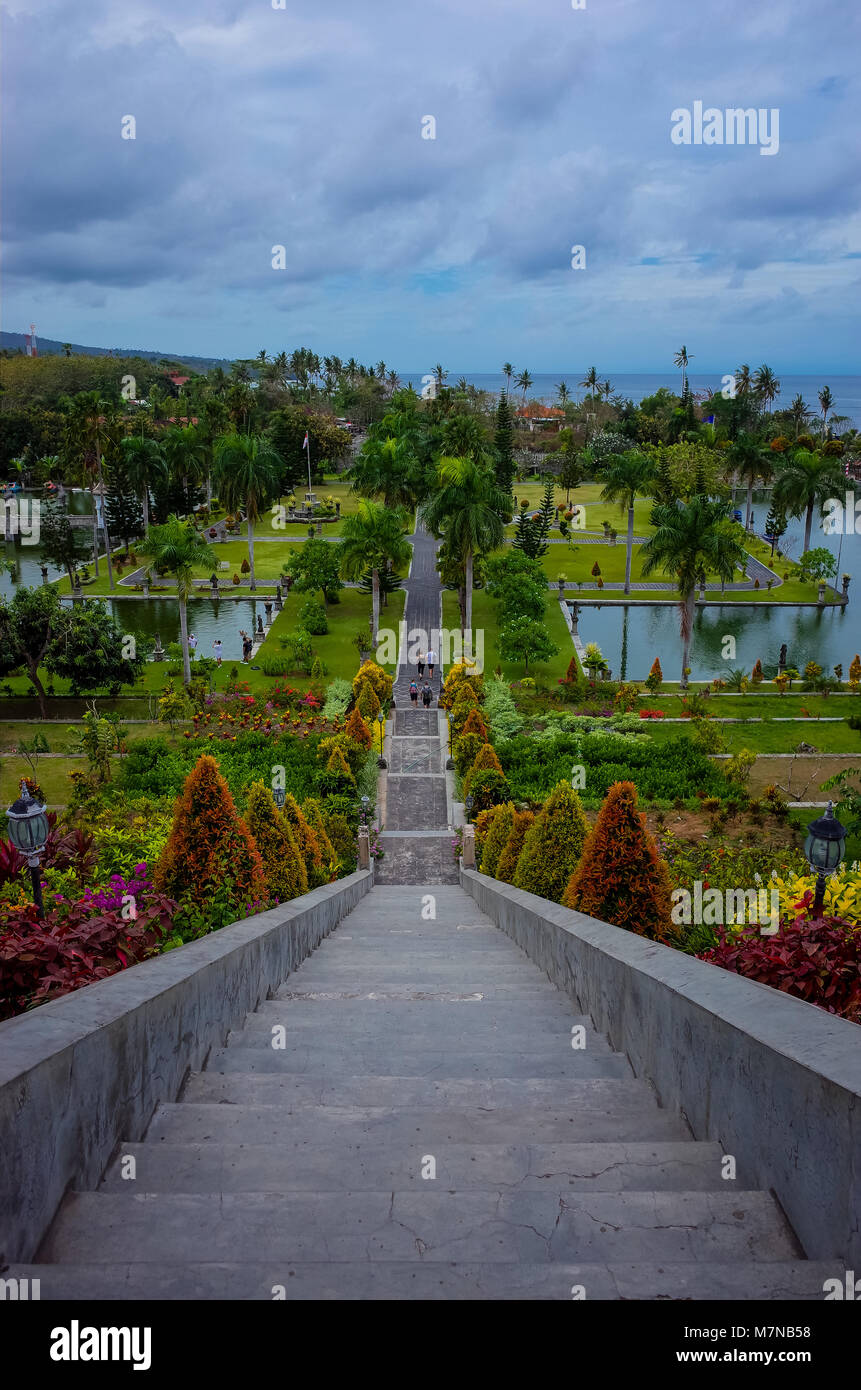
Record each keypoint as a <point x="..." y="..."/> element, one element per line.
<point x="692" y="539"/>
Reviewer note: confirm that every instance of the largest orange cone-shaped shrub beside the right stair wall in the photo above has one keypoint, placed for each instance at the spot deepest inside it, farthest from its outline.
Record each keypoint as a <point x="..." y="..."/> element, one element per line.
<point x="621" y="876"/>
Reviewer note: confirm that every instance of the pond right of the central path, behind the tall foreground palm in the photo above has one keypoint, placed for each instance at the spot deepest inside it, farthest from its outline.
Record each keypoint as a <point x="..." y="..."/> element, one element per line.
<point x="631" y="637"/>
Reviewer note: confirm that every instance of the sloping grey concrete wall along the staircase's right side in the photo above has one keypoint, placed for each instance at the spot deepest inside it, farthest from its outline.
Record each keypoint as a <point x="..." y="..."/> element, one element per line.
<point x="775" y="1081"/>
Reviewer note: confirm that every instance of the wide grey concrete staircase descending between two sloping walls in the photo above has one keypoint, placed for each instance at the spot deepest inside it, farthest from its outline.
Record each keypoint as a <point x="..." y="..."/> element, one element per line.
<point x="293" y="1167"/>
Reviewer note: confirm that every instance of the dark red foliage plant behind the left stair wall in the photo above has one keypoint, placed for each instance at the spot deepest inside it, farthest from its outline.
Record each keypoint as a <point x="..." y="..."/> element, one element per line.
<point x="73" y="947"/>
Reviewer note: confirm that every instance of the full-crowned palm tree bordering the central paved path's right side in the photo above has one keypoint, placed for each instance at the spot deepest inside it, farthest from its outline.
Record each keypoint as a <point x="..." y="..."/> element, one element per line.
<point x="468" y="511"/>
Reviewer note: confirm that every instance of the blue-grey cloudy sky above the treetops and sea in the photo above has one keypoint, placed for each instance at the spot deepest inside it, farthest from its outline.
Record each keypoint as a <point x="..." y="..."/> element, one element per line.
<point x="303" y="127"/>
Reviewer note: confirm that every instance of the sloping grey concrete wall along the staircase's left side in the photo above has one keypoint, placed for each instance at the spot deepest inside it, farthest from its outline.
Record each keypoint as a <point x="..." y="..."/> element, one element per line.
<point x="87" y="1071"/>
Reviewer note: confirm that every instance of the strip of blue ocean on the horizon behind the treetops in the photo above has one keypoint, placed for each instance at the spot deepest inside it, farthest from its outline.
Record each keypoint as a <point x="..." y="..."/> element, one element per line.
<point x="636" y="386"/>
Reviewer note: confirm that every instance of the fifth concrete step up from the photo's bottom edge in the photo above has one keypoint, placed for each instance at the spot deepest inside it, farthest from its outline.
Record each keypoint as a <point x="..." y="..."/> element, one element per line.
<point x="599" y="1096"/>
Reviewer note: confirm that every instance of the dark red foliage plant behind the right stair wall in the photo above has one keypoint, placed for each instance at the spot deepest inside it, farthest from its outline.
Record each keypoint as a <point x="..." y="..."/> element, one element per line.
<point x="819" y="961"/>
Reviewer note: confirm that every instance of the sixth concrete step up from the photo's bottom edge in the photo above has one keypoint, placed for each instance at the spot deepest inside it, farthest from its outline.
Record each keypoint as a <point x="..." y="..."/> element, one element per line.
<point x="329" y="1060"/>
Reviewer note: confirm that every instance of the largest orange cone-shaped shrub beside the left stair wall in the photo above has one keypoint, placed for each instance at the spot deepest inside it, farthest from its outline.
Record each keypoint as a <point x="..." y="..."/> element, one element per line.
<point x="211" y="851"/>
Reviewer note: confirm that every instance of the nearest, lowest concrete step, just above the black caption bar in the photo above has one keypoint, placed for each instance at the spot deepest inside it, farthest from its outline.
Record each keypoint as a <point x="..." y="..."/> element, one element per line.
<point x="401" y="1281"/>
